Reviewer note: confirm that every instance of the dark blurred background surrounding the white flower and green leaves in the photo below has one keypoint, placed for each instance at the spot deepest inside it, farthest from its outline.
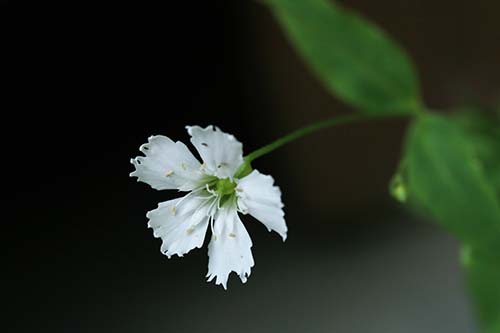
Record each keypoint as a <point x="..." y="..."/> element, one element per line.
<point x="90" y="85"/>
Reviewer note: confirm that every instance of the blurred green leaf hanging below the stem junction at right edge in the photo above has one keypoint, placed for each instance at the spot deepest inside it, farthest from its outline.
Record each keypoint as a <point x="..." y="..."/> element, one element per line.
<point x="445" y="179"/>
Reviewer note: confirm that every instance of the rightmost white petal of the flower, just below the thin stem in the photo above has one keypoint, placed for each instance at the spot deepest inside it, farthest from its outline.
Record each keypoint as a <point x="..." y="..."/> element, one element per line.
<point x="258" y="196"/>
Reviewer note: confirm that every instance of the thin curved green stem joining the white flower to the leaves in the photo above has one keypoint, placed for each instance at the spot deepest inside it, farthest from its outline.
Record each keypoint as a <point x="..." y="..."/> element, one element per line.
<point x="297" y="134"/>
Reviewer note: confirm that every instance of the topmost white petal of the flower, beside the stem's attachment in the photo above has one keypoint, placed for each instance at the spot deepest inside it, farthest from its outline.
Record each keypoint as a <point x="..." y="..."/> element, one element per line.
<point x="221" y="152"/>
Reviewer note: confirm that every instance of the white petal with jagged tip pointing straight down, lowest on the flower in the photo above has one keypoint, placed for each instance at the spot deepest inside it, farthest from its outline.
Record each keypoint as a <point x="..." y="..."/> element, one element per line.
<point x="229" y="250"/>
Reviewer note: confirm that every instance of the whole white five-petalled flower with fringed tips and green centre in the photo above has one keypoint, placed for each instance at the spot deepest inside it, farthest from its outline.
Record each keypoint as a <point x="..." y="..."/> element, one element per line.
<point x="215" y="197"/>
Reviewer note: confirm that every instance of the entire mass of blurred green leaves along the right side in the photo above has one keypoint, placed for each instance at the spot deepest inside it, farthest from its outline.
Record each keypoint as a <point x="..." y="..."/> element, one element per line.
<point x="451" y="164"/>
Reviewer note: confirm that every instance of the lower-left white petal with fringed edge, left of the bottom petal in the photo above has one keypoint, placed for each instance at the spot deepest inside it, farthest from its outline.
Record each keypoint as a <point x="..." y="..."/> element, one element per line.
<point x="181" y="223"/>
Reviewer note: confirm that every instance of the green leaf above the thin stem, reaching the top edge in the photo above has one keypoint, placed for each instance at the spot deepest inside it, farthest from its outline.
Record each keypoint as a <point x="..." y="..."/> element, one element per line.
<point x="356" y="60"/>
